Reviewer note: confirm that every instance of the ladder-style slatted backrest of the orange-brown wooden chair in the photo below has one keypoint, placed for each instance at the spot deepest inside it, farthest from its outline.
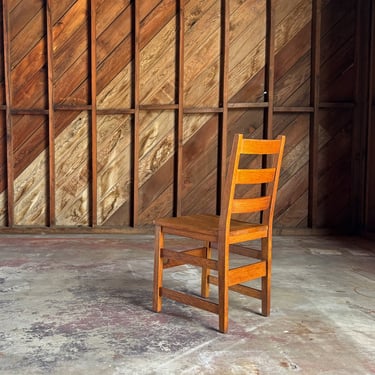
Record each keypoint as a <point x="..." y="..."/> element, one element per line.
<point x="265" y="177"/>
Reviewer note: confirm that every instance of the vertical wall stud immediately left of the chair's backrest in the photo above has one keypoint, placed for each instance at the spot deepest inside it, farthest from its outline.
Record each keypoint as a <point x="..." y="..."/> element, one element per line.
<point x="223" y="136"/>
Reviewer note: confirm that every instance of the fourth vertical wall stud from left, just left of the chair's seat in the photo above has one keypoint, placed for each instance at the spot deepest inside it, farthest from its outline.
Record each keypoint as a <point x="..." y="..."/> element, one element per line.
<point x="136" y="48"/>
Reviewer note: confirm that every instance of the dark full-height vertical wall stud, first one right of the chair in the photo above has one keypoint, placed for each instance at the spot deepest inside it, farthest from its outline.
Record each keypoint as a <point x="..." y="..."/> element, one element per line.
<point x="314" y="121"/>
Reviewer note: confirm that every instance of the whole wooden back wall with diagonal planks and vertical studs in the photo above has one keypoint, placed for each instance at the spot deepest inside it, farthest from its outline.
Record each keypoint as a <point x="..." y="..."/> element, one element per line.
<point x="116" y="112"/>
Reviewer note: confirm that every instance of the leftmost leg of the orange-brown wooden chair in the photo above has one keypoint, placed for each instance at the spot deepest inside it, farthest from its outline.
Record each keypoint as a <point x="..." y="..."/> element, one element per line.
<point x="158" y="269"/>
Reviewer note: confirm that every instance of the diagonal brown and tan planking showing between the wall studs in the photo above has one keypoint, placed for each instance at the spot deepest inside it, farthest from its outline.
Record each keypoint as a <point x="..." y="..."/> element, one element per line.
<point x="157" y="86"/>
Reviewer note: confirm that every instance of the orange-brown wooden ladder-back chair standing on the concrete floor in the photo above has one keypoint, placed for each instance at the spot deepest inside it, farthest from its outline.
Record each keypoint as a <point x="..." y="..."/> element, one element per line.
<point x="227" y="234"/>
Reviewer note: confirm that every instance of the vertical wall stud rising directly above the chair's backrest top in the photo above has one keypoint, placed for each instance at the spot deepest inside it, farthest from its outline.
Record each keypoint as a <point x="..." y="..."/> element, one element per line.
<point x="269" y="71"/>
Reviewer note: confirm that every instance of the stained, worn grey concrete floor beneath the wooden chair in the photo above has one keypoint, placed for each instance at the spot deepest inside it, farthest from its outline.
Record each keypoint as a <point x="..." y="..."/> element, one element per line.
<point x="82" y="305"/>
